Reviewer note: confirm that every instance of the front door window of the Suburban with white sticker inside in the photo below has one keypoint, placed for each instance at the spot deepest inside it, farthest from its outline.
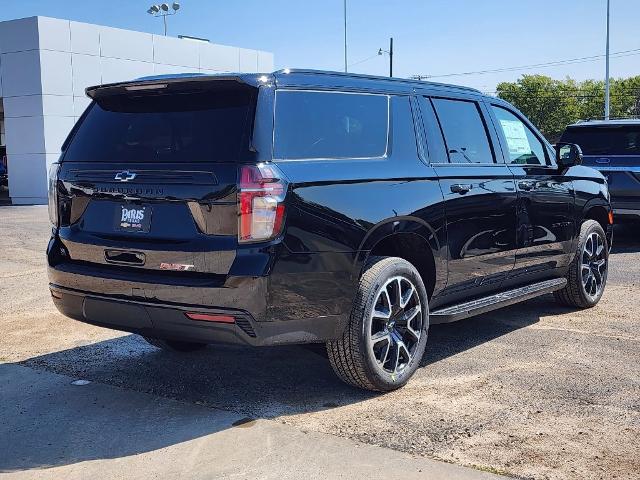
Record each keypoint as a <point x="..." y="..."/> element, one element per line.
<point x="524" y="147"/>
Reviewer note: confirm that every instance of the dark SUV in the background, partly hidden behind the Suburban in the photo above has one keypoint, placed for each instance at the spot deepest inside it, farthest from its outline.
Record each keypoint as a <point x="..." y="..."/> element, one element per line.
<point x="613" y="147"/>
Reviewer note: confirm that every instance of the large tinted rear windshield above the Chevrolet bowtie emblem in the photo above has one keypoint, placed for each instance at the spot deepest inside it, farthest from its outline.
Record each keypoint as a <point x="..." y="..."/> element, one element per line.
<point x="179" y="127"/>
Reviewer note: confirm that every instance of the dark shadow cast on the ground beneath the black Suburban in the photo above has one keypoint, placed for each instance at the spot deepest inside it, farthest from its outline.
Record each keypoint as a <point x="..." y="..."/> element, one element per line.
<point x="264" y="382"/>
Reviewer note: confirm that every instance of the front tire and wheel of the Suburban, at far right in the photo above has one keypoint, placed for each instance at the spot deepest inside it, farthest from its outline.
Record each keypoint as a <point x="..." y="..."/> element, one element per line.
<point x="575" y="293"/>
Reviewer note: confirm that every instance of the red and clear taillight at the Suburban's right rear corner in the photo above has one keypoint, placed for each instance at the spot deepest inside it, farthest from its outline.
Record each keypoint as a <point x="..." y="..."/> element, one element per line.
<point x="262" y="190"/>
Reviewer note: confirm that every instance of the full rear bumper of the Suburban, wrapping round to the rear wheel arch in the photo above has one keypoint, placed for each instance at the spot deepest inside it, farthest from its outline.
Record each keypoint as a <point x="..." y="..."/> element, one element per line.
<point x="276" y="296"/>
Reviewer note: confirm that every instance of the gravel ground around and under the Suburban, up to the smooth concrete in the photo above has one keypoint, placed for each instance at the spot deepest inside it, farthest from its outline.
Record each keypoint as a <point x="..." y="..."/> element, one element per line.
<point x="534" y="390"/>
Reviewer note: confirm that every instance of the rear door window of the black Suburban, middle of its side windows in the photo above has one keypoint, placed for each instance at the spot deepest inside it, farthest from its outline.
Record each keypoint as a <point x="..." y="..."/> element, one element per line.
<point x="464" y="131"/>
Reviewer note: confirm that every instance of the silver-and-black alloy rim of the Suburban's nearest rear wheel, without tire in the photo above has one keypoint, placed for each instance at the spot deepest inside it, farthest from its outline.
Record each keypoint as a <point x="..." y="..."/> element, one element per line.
<point x="396" y="325"/>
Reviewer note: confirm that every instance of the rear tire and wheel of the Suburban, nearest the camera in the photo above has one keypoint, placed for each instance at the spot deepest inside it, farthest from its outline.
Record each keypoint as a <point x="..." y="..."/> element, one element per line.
<point x="353" y="356"/>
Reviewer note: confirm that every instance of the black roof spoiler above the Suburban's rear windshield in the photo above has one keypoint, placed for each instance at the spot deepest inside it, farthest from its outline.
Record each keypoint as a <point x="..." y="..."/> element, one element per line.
<point x="176" y="82"/>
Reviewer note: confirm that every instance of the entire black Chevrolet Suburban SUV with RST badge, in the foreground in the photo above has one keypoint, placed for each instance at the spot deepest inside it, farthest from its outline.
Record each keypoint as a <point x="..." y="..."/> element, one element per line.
<point x="316" y="207"/>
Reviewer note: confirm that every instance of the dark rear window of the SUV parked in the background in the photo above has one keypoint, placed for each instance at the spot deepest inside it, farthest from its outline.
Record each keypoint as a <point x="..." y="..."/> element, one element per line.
<point x="610" y="140"/>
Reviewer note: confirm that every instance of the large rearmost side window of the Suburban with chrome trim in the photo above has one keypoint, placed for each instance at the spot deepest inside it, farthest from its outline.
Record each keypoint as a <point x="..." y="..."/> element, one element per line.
<point x="317" y="125"/>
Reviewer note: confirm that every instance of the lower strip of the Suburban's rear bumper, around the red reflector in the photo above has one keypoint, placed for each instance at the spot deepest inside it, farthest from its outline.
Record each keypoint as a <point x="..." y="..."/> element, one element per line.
<point x="169" y="321"/>
